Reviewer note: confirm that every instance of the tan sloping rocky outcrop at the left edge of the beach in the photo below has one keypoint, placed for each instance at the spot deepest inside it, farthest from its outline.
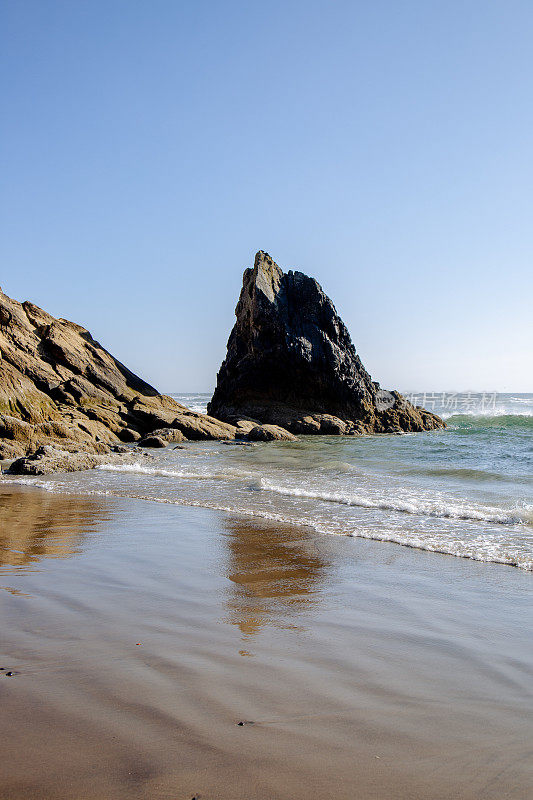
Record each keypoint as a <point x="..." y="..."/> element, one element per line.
<point x="58" y="386"/>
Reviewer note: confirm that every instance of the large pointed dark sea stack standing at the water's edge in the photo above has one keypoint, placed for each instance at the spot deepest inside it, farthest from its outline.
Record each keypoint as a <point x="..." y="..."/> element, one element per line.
<point x="291" y="362"/>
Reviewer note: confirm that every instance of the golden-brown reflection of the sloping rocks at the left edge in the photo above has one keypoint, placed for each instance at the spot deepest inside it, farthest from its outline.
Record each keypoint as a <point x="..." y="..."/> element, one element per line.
<point x="37" y="525"/>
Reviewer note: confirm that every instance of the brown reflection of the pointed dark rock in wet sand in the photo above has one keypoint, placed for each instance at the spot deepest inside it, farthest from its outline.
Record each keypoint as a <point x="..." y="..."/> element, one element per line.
<point x="275" y="573"/>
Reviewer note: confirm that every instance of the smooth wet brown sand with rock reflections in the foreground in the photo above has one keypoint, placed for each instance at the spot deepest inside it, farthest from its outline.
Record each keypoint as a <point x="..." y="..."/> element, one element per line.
<point x="142" y="633"/>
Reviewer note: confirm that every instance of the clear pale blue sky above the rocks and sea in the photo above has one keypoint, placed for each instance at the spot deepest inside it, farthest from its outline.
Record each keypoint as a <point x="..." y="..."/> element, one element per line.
<point x="149" y="149"/>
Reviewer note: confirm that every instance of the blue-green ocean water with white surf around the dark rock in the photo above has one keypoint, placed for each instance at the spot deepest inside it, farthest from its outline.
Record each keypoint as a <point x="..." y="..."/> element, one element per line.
<point x="466" y="491"/>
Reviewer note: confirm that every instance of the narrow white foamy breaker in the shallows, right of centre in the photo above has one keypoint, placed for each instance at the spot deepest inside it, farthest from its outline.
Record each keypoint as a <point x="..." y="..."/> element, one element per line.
<point x="412" y="506"/>
